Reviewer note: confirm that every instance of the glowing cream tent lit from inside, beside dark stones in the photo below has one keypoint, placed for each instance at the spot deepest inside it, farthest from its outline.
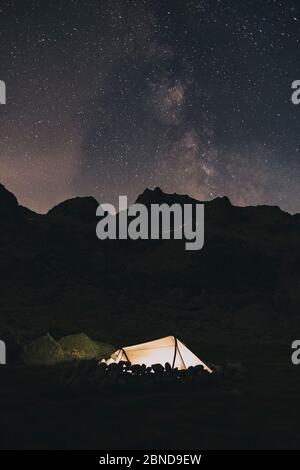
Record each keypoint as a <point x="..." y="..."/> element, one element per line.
<point x="160" y="351"/>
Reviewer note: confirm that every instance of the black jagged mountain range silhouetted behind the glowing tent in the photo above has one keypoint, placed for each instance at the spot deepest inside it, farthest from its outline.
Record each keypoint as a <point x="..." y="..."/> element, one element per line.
<point x="57" y="276"/>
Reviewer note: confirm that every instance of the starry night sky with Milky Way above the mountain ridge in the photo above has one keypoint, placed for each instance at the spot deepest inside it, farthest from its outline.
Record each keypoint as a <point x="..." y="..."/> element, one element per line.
<point x="106" y="98"/>
